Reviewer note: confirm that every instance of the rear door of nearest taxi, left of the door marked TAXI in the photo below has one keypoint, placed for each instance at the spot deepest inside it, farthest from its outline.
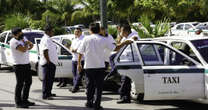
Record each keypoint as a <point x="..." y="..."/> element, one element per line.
<point x="128" y="63"/>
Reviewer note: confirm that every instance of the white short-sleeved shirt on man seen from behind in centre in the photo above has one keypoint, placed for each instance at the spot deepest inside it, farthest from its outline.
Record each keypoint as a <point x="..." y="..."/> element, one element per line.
<point x="93" y="47"/>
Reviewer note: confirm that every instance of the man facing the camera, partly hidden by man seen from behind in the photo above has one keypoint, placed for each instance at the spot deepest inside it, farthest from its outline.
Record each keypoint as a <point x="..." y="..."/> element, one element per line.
<point x="75" y="45"/>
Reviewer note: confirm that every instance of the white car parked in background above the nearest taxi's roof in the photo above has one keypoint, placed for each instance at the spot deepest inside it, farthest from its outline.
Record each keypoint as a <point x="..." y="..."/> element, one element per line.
<point x="182" y="28"/>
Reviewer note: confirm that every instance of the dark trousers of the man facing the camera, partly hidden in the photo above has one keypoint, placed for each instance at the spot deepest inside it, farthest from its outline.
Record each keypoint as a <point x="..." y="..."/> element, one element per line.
<point x="77" y="77"/>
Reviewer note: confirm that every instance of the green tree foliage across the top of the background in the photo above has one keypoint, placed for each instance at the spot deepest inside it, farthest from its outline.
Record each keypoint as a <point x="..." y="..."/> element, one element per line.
<point x="118" y="10"/>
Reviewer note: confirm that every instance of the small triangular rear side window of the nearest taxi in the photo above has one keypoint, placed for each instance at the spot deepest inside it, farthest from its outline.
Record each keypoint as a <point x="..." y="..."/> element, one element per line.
<point x="129" y="54"/>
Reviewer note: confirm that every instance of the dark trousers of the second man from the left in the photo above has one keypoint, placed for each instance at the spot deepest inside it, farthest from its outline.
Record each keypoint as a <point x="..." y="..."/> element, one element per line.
<point x="48" y="78"/>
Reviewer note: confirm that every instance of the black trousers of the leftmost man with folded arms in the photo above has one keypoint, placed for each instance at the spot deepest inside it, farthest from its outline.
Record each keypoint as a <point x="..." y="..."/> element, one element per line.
<point x="24" y="81"/>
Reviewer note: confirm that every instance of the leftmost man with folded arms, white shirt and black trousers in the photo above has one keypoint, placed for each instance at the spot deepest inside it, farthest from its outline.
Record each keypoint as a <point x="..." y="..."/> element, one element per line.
<point x="20" y="47"/>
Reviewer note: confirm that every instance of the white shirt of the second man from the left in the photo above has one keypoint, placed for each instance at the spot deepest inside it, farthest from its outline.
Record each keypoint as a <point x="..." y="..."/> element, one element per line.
<point x="46" y="43"/>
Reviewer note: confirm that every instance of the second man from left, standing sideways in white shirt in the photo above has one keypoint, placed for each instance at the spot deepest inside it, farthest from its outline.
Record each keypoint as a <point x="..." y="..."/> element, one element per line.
<point x="48" y="61"/>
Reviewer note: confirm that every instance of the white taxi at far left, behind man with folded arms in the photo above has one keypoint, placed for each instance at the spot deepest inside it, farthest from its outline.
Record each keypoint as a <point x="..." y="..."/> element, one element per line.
<point x="5" y="50"/>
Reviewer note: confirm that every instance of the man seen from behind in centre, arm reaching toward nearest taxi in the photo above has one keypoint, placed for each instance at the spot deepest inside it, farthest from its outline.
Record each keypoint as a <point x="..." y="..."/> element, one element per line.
<point x="92" y="47"/>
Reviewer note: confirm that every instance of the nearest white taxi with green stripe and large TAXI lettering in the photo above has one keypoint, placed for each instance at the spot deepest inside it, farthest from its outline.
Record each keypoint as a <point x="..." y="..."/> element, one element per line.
<point x="160" y="72"/>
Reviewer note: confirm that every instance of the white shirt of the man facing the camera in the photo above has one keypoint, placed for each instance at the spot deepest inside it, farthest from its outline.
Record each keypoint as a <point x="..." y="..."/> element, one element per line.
<point x="75" y="45"/>
